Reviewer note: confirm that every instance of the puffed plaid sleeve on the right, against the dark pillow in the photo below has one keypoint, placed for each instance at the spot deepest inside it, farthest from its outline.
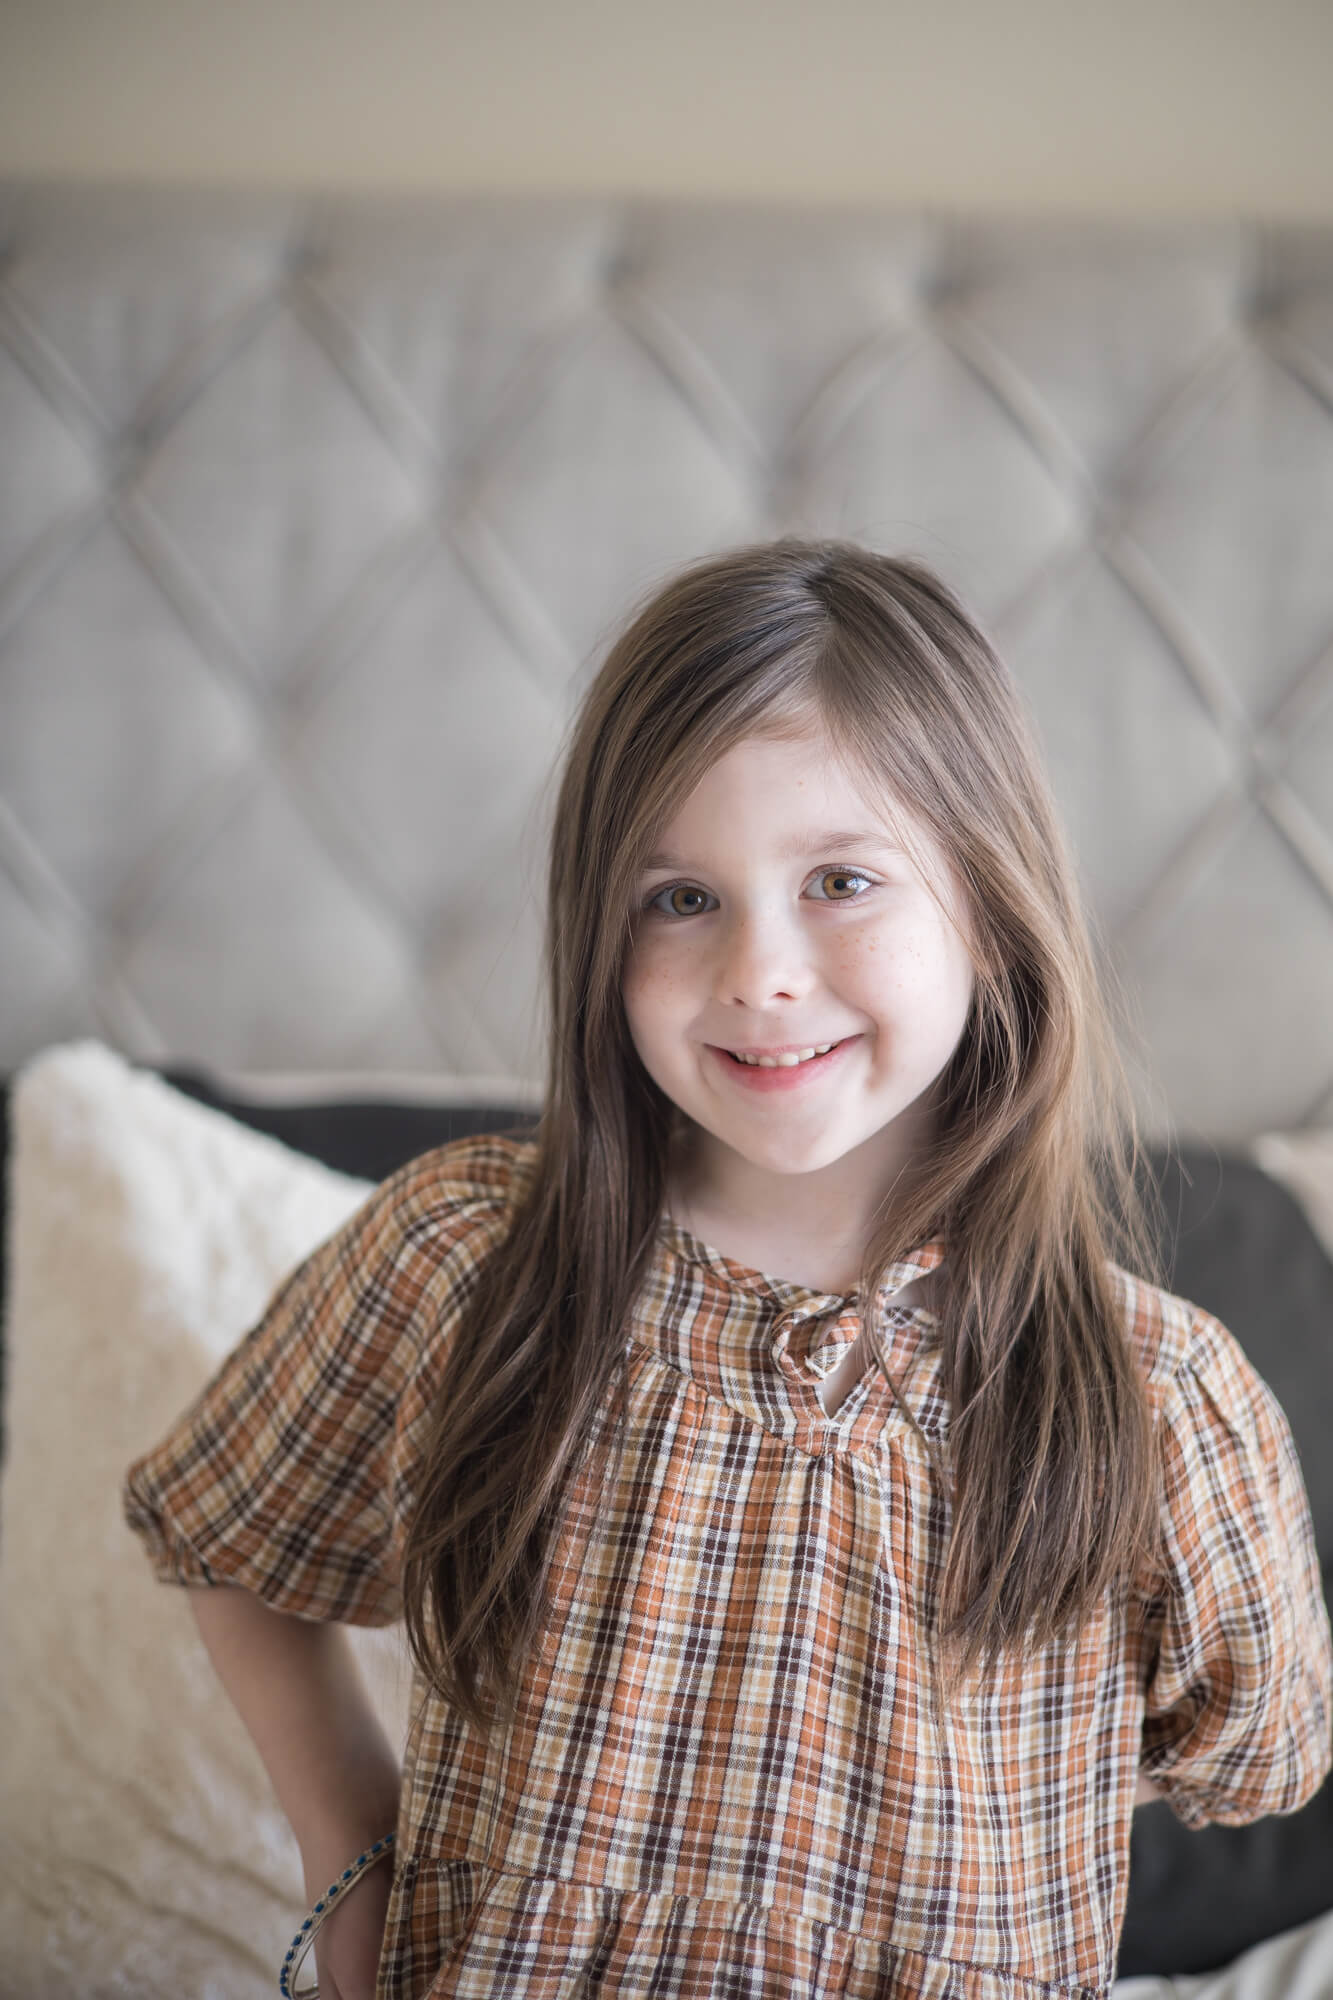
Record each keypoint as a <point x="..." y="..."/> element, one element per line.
<point x="1242" y="1685"/>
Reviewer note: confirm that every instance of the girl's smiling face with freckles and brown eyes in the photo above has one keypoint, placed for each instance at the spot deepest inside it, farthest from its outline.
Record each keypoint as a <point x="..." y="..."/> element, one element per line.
<point x="780" y="915"/>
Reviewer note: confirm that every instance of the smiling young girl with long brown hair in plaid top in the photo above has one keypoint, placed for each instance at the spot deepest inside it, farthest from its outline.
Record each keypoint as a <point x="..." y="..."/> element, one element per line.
<point x="812" y="1517"/>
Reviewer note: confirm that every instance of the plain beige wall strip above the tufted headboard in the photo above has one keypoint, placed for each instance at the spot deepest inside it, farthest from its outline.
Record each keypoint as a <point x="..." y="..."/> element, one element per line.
<point x="1096" y="105"/>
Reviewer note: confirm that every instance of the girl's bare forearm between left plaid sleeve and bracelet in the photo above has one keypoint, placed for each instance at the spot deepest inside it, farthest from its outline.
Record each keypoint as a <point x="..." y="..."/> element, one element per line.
<point x="301" y="1697"/>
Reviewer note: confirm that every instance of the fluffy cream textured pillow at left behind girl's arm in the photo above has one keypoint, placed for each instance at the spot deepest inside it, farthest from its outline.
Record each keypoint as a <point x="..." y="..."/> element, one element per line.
<point x="141" y="1845"/>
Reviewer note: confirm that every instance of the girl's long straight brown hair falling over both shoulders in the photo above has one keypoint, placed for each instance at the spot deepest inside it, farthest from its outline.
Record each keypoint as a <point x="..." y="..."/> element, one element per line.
<point x="1034" y="1181"/>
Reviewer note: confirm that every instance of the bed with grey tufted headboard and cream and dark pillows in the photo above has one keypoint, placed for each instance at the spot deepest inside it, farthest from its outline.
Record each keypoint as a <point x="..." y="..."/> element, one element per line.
<point x="315" y="517"/>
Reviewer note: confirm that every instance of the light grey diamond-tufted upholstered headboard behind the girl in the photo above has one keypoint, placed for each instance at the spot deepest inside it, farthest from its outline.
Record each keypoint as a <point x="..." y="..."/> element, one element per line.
<point x="315" y="517"/>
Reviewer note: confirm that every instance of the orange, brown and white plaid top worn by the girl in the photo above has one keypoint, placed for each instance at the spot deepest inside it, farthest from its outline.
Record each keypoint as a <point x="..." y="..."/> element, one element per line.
<point x="726" y="1777"/>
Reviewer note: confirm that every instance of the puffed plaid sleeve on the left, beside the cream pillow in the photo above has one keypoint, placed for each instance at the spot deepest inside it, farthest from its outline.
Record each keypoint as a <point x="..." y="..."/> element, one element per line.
<point x="289" y="1475"/>
